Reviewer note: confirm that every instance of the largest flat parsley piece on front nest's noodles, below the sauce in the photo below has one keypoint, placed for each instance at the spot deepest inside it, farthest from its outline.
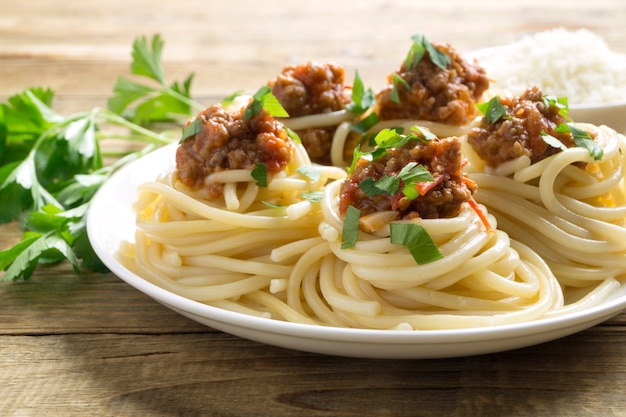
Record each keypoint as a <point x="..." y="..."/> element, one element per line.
<point x="417" y="240"/>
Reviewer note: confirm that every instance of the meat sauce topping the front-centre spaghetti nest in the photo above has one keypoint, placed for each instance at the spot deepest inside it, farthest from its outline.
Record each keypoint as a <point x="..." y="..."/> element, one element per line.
<point x="441" y="157"/>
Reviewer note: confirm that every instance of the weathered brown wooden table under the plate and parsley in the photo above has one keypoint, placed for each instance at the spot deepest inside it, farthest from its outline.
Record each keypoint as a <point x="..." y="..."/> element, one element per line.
<point x="94" y="346"/>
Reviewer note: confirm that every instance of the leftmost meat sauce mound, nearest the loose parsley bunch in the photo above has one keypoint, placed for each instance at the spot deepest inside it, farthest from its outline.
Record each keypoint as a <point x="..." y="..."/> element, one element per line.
<point x="227" y="141"/>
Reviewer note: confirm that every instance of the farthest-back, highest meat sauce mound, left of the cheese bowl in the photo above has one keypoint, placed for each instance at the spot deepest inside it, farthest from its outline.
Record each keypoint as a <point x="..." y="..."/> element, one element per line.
<point x="439" y="95"/>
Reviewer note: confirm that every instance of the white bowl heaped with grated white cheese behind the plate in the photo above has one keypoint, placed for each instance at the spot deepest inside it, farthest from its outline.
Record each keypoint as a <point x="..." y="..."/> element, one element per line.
<point x="577" y="64"/>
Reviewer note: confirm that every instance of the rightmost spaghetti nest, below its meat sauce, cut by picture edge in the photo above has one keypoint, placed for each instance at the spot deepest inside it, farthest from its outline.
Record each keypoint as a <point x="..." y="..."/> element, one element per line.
<point x="569" y="206"/>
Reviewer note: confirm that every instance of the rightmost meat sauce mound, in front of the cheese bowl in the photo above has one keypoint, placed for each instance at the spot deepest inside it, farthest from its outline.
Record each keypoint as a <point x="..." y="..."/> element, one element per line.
<point x="519" y="132"/>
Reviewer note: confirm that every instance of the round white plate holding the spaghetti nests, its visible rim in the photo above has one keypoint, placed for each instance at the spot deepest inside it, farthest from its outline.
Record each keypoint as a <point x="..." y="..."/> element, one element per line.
<point x="111" y="220"/>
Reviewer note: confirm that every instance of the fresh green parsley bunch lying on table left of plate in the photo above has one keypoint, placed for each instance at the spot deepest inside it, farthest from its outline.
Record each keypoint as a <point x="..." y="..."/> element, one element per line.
<point x="51" y="165"/>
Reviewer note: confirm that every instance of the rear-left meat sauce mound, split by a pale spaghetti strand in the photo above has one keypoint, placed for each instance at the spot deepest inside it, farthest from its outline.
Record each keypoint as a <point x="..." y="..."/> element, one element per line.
<point x="312" y="88"/>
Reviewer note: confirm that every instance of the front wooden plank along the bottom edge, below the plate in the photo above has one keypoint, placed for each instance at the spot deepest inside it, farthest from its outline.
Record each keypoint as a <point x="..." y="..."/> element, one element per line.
<point x="219" y="375"/>
